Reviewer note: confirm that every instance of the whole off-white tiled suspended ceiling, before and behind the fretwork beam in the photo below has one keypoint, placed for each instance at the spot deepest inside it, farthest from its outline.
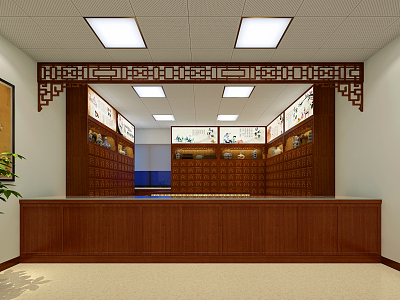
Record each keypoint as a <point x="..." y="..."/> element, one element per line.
<point x="201" y="31"/>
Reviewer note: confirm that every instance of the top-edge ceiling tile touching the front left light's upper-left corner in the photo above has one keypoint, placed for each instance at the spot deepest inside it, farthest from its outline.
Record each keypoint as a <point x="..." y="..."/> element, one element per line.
<point x="48" y="8"/>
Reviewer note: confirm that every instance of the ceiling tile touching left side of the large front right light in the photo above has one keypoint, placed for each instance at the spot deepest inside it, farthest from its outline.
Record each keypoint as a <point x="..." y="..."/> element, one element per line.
<point x="211" y="32"/>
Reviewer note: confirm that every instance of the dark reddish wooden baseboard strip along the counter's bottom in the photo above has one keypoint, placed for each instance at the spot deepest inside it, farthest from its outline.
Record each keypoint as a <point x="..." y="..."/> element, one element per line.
<point x="201" y="259"/>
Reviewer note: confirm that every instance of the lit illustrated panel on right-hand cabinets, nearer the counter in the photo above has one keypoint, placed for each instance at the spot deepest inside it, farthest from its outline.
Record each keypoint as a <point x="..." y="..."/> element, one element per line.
<point x="300" y="110"/>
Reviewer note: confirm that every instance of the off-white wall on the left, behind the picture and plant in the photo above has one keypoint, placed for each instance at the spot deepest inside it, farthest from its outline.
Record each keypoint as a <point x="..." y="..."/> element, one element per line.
<point x="40" y="137"/>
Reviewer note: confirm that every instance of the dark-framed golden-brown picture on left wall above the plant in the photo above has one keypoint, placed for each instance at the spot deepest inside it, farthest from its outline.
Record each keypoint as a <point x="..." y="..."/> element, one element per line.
<point x="7" y="122"/>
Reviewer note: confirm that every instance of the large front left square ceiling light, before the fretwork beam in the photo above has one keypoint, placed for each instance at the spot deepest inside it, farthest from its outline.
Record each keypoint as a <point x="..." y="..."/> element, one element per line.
<point x="117" y="32"/>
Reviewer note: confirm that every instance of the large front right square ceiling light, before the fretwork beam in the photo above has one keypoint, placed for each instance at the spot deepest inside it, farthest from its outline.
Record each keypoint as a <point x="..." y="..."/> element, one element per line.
<point x="261" y="32"/>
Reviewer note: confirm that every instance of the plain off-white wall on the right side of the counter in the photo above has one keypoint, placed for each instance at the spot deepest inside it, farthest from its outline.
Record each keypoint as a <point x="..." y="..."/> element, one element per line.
<point x="368" y="143"/>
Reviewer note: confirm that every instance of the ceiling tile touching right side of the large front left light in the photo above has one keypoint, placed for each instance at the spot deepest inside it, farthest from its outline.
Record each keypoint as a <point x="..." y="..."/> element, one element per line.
<point x="165" y="32"/>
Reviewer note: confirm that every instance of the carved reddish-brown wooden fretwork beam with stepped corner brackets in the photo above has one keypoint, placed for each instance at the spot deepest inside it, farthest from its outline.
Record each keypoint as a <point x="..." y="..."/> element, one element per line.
<point x="346" y="77"/>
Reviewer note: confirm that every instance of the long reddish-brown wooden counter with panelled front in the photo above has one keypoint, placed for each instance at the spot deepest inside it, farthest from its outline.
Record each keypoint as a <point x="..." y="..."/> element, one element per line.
<point x="201" y="230"/>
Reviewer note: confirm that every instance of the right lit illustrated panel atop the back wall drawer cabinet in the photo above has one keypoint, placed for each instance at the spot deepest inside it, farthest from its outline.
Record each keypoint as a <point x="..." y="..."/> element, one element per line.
<point x="242" y="135"/>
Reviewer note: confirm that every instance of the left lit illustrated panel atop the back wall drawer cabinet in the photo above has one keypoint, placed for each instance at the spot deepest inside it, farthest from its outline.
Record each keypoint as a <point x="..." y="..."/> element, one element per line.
<point x="194" y="135"/>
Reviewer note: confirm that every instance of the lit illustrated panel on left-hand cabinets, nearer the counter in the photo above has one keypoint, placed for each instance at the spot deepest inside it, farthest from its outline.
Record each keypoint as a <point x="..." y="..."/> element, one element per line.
<point x="101" y="111"/>
